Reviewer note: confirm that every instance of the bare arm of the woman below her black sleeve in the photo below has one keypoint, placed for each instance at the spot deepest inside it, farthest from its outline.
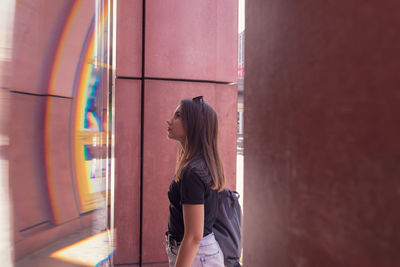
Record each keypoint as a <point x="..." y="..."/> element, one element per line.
<point x="193" y="218"/>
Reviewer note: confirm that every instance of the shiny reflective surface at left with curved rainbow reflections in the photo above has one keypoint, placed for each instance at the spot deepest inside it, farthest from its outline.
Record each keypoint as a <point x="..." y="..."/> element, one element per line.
<point x="56" y="133"/>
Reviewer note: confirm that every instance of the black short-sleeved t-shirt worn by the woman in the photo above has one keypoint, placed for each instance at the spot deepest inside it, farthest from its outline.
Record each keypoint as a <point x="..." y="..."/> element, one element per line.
<point x="193" y="188"/>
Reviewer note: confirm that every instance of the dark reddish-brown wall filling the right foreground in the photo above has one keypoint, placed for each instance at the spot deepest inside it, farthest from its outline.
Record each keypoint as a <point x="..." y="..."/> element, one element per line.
<point x="321" y="185"/>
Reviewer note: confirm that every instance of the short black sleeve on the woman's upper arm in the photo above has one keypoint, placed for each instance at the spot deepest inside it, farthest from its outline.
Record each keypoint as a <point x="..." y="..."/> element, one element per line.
<point x="192" y="189"/>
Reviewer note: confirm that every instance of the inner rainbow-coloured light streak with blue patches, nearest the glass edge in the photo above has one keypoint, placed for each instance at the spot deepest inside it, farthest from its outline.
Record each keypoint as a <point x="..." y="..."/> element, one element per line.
<point x="86" y="119"/>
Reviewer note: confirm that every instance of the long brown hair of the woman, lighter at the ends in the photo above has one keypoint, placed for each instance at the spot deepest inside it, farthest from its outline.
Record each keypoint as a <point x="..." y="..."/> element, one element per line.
<point x="200" y="122"/>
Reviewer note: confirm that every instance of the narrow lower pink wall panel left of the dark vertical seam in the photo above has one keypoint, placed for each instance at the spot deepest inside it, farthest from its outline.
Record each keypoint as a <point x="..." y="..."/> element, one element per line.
<point x="127" y="170"/>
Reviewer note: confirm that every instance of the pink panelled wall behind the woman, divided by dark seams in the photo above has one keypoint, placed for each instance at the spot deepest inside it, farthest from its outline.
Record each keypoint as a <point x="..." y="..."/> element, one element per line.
<point x="184" y="40"/>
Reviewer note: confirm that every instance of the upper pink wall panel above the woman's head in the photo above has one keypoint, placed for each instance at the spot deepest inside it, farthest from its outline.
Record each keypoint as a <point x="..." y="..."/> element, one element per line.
<point x="191" y="40"/>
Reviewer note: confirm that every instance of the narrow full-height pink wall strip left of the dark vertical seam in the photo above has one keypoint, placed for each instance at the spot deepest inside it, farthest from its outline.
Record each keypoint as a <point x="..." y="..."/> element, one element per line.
<point x="128" y="112"/>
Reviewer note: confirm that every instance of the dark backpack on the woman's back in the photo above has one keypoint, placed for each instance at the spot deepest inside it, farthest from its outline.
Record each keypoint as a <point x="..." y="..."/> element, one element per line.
<point x="227" y="227"/>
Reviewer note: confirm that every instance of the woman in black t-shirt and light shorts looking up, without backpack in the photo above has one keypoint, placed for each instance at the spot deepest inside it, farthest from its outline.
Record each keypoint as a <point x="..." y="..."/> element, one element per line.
<point x="193" y="192"/>
